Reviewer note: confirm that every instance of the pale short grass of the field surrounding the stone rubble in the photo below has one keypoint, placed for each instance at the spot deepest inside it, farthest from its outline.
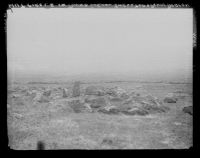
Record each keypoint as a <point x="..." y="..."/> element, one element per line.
<point x="58" y="127"/>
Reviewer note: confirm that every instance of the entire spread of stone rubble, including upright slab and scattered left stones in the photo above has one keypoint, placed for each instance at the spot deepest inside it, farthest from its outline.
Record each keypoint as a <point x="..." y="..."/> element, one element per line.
<point x="114" y="100"/>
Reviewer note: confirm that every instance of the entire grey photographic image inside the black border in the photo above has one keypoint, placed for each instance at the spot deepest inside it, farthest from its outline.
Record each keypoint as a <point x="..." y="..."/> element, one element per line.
<point x="100" y="78"/>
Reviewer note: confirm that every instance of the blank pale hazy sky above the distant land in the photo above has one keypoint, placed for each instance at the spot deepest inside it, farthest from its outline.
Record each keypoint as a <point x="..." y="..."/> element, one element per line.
<point x="74" y="41"/>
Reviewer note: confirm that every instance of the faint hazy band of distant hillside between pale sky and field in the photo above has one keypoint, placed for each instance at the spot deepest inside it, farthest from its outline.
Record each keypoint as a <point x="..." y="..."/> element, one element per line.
<point x="52" y="78"/>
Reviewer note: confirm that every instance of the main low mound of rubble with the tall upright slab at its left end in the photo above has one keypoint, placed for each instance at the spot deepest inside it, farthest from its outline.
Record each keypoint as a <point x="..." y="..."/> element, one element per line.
<point x="115" y="101"/>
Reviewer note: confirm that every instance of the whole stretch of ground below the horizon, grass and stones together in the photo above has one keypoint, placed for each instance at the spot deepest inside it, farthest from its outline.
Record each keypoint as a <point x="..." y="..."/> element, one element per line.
<point x="100" y="116"/>
